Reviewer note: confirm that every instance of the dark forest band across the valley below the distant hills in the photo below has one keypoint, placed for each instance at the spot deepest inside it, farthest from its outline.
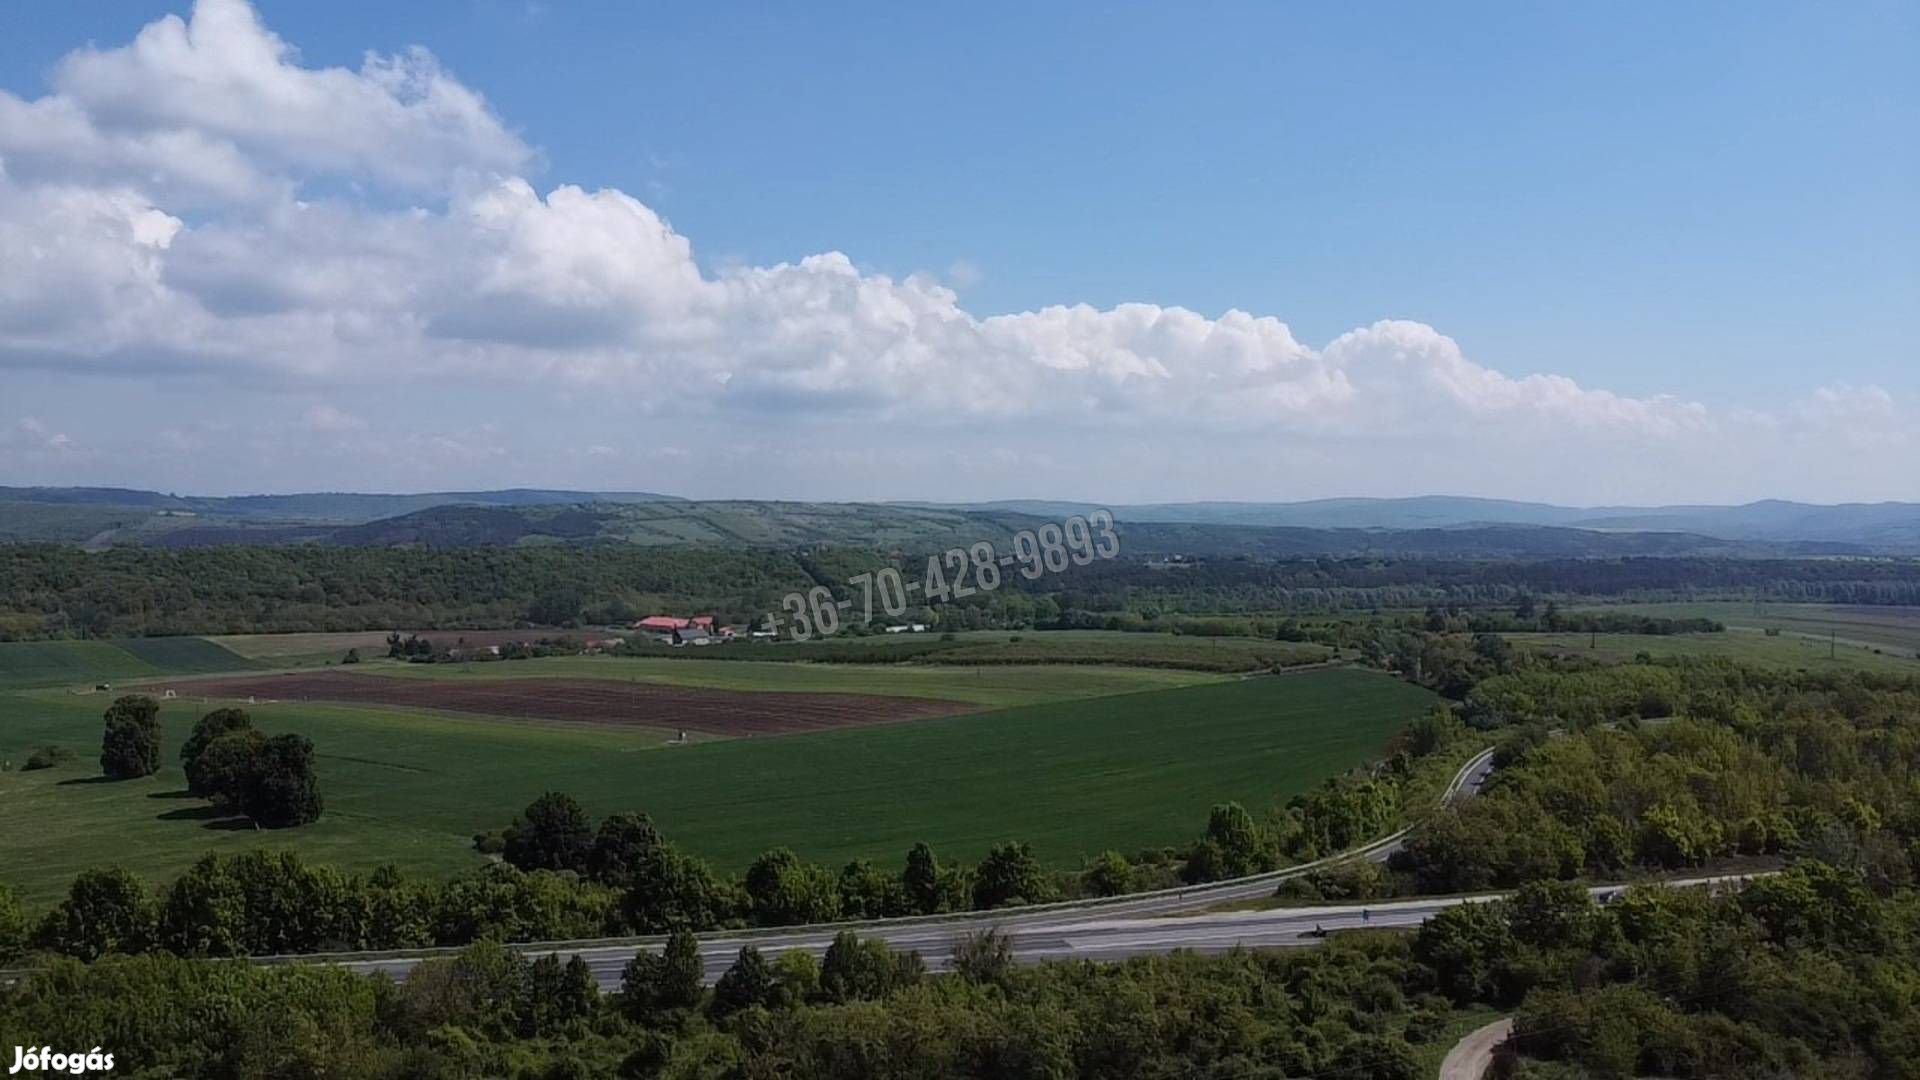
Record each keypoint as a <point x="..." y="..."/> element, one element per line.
<point x="51" y="591"/>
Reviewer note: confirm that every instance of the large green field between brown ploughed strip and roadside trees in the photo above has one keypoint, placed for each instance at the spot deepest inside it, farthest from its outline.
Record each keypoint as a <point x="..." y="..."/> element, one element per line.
<point x="1070" y="777"/>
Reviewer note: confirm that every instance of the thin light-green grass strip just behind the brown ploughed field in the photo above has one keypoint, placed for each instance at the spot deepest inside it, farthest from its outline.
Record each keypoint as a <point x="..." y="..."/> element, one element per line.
<point x="988" y="687"/>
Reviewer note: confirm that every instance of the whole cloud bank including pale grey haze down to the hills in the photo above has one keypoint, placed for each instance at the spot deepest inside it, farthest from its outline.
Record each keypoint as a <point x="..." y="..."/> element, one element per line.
<point x="199" y="209"/>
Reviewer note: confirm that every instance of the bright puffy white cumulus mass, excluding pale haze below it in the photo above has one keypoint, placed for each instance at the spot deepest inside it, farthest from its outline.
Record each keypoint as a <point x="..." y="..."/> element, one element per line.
<point x="174" y="210"/>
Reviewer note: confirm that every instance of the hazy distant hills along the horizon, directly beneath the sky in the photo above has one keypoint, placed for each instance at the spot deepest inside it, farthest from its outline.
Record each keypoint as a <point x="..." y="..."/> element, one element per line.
<point x="1426" y="526"/>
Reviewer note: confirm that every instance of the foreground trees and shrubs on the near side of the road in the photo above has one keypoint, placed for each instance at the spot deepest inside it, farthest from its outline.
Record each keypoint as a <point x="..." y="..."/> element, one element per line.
<point x="1810" y="973"/>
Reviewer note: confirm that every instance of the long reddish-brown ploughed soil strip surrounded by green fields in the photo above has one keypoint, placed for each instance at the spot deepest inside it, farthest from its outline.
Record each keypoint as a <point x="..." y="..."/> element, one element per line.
<point x="583" y="700"/>
